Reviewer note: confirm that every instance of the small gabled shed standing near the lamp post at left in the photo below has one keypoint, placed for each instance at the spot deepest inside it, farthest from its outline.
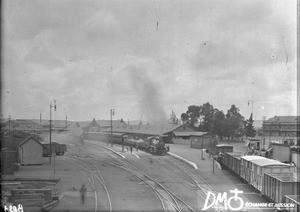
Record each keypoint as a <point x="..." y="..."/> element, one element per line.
<point x="30" y="152"/>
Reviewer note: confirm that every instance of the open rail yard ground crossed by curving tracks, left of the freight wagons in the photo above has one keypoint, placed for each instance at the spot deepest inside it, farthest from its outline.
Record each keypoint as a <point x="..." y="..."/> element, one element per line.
<point x="119" y="180"/>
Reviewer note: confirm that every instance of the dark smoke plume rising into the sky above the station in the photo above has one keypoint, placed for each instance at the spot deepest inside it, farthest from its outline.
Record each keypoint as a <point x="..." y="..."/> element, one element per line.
<point x="148" y="96"/>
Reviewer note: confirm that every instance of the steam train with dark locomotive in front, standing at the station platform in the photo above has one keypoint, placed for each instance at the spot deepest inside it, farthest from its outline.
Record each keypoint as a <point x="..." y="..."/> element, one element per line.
<point x="152" y="144"/>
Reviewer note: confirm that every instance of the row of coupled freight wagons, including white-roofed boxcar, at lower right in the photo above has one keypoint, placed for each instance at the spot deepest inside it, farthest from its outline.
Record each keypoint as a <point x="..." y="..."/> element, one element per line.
<point x="274" y="180"/>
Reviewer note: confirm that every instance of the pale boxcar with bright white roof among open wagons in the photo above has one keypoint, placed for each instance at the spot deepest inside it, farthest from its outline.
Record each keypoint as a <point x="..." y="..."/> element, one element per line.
<point x="255" y="167"/>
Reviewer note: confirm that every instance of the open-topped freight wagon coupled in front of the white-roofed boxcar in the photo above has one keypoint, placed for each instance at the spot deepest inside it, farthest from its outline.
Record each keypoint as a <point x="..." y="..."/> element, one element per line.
<point x="277" y="185"/>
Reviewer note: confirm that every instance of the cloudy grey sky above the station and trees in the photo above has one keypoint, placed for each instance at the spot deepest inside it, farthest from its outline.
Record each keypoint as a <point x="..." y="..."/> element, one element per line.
<point x="147" y="58"/>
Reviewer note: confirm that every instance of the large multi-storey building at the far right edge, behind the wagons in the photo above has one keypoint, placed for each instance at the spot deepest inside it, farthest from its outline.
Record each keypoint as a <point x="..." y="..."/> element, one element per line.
<point x="282" y="129"/>
